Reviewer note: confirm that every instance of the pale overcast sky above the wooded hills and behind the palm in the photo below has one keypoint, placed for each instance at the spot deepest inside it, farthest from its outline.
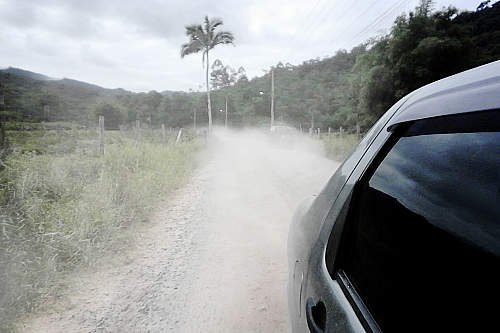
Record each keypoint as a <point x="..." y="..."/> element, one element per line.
<point x="136" y="44"/>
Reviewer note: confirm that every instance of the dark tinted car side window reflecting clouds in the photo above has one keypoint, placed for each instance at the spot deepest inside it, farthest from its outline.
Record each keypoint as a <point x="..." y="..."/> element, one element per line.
<point x="422" y="245"/>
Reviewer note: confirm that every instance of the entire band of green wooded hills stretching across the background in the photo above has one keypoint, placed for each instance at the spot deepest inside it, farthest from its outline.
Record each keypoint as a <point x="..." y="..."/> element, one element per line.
<point x="352" y="88"/>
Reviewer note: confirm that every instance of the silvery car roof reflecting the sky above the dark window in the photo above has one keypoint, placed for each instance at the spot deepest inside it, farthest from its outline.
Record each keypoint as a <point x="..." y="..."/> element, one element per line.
<point x="476" y="89"/>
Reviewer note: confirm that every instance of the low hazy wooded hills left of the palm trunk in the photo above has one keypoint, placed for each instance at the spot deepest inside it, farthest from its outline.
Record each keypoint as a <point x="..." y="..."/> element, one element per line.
<point x="29" y="98"/>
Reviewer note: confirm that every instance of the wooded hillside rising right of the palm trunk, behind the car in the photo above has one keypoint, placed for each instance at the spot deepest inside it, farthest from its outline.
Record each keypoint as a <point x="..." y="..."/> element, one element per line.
<point x="358" y="86"/>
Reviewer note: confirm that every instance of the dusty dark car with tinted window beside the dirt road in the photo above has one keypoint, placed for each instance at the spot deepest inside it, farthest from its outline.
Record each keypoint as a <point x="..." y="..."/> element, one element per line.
<point x="405" y="236"/>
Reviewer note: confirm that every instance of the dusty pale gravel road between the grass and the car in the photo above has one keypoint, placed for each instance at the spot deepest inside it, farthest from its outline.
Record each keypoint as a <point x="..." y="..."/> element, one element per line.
<point x="214" y="257"/>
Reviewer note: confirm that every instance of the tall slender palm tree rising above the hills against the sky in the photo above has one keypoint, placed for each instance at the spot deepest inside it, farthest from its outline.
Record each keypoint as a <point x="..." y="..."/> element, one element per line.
<point x="203" y="38"/>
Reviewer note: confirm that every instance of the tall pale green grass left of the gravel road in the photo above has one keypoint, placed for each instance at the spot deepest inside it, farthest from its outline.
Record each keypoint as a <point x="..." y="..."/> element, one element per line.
<point x="62" y="205"/>
